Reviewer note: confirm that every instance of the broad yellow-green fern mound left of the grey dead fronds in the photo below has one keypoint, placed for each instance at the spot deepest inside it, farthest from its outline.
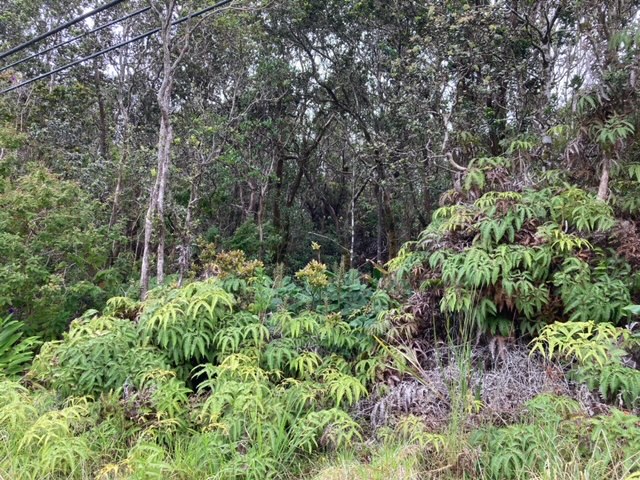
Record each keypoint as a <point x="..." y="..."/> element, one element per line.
<point x="199" y="380"/>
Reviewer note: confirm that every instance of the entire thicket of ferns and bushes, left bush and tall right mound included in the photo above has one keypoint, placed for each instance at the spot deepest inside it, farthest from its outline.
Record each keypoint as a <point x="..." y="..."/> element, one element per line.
<point x="245" y="374"/>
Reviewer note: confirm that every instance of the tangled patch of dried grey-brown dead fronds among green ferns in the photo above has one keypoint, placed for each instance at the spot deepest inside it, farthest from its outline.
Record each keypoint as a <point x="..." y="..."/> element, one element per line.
<point x="498" y="385"/>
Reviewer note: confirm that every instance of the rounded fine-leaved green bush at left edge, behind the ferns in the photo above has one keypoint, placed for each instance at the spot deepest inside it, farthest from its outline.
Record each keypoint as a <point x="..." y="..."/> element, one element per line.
<point x="51" y="247"/>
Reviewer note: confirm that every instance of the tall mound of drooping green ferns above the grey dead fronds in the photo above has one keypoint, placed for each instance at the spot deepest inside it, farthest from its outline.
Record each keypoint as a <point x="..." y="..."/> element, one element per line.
<point x="514" y="260"/>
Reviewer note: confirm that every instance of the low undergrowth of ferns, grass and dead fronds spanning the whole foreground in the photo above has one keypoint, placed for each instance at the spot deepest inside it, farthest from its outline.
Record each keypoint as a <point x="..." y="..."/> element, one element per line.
<point x="246" y="376"/>
